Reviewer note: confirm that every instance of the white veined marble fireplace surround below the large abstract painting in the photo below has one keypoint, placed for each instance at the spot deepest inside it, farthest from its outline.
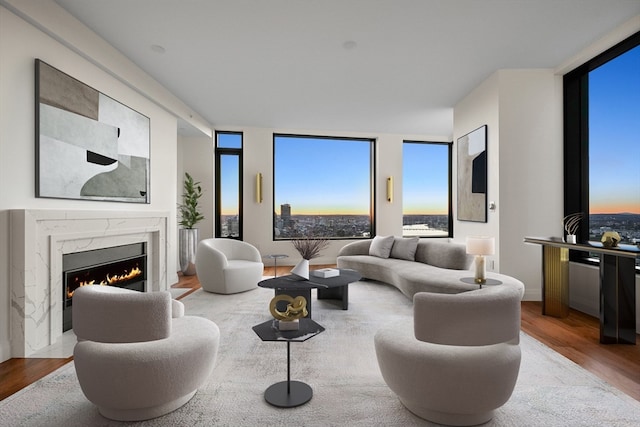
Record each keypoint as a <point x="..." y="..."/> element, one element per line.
<point x="39" y="238"/>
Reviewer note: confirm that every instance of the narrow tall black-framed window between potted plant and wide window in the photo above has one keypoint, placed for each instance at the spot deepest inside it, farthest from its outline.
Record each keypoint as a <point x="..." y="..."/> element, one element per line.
<point x="228" y="165"/>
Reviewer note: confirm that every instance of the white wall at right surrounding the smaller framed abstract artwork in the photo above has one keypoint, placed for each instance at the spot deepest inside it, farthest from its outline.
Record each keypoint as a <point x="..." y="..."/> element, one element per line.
<point x="523" y="111"/>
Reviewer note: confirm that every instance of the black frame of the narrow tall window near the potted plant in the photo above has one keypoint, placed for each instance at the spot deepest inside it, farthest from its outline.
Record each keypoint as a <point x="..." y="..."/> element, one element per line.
<point x="218" y="153"/>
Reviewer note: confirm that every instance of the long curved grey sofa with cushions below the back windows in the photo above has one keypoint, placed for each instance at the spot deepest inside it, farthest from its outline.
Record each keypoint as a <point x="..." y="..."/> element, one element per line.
<point x="436" y="265"/>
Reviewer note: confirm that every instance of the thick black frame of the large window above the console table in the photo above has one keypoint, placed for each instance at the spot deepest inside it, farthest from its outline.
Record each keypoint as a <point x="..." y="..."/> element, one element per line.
<point x="576" y="140"/>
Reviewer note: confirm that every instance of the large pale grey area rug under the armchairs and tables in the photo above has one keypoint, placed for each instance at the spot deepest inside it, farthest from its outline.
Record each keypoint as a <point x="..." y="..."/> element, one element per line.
<point x="339" y="364"/>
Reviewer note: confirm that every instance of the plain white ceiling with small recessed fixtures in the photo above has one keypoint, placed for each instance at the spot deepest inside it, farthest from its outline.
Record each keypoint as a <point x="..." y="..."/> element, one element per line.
<point x="373" y="66"/>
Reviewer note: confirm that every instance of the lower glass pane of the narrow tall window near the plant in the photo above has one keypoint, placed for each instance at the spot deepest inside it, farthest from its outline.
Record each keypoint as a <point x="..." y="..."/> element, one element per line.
<point x="229" y="195"/>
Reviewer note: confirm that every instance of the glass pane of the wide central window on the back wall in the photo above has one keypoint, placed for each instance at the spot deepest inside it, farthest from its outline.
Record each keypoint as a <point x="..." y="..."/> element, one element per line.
<point x="322" y="187"/>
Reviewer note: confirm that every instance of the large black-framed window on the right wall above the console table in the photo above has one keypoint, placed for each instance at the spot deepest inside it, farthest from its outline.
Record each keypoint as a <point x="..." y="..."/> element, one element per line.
<point x="602" y="143"/>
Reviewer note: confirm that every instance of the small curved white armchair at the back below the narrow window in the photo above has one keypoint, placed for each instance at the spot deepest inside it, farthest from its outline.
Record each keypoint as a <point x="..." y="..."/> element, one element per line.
<point x="227" y="266"/>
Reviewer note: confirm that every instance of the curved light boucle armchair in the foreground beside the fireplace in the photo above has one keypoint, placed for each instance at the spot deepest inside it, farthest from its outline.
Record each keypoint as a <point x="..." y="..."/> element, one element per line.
<point x="137" y="356"/>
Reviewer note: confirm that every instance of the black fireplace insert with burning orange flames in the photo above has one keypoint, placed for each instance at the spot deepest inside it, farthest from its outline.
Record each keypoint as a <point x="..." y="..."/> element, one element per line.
<point x="122" y="266"/>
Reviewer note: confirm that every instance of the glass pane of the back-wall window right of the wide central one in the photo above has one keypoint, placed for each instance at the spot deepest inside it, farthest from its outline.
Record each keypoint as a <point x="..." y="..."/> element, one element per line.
<point x="425" y="189"/>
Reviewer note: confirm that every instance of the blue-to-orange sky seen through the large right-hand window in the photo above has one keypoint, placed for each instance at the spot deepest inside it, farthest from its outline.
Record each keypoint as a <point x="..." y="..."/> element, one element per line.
<point x="614" y="135"/>
